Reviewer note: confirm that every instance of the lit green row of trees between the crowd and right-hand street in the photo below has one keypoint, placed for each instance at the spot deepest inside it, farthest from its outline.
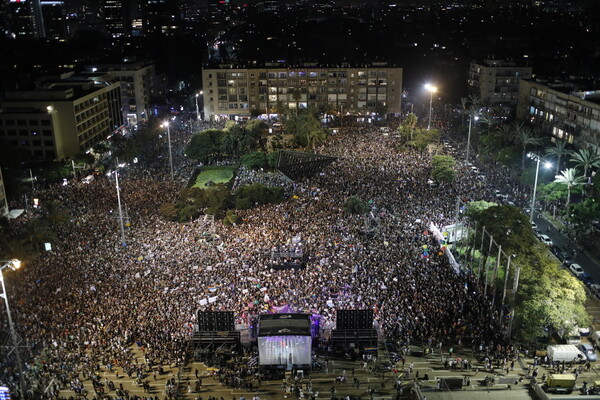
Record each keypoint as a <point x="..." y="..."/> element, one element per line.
<point x="548" y="298"/>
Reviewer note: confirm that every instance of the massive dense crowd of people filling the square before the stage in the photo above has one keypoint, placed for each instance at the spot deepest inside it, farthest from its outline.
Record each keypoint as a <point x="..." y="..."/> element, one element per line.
<point x="83" y="303"/>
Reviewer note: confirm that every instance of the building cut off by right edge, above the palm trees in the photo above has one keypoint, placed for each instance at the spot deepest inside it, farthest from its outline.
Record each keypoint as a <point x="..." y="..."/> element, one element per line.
<point x="566" y="111"/>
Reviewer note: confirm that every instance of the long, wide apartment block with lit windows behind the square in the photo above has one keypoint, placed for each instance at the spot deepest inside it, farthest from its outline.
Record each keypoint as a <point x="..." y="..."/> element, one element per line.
<point x="231" y="91"/>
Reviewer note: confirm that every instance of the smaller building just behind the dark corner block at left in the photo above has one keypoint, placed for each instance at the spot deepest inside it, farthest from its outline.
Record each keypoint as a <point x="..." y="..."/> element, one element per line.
<point x="136" y="81"/>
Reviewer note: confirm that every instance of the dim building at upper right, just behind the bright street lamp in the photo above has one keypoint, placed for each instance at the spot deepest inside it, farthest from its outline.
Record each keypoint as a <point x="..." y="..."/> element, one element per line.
<point x="497" y="82"/>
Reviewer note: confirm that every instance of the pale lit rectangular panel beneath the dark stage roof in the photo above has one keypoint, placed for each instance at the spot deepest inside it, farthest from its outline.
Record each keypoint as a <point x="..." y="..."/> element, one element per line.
<point x="283" y="350"/>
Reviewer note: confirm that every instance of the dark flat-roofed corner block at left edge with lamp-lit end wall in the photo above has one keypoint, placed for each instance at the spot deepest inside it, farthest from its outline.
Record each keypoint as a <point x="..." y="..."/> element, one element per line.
<point x="60" y="119"/>
